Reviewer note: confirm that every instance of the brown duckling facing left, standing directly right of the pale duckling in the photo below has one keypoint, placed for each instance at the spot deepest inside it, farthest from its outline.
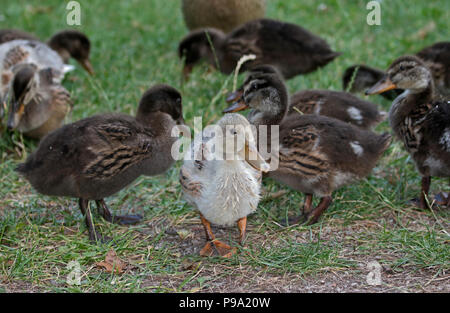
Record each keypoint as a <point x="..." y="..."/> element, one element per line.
<point x="316" y="154"/>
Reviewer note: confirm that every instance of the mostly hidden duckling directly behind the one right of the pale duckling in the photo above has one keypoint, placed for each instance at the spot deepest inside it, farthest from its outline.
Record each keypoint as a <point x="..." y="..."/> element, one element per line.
<point x="337" y="104"/>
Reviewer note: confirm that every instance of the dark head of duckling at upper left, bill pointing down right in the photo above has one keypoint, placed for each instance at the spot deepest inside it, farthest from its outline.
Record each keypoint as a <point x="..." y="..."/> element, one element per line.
<point x="75" y="44"/>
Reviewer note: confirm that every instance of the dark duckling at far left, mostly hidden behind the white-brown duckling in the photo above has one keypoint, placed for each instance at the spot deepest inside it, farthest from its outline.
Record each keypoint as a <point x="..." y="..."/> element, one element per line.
<point x="67" y="43"/>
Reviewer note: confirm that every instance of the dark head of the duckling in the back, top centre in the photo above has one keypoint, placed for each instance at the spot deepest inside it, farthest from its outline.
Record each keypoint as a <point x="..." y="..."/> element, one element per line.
<point x="197" y="46"/>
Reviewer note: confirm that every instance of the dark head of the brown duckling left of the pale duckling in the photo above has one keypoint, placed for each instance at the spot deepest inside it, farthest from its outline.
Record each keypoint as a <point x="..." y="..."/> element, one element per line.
<point x="160" y="101"/>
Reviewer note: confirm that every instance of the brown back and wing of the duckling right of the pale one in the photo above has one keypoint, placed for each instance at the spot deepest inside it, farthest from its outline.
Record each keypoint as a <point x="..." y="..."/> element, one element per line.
<point x="340" y="146"/>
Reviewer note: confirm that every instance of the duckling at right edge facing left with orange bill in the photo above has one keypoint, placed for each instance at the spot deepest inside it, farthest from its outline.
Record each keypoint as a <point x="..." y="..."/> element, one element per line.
<point x="420" y="121"/>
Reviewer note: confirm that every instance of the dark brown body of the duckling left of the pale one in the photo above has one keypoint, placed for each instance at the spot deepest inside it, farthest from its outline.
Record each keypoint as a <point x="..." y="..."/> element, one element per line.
<point x="92" y="158"/>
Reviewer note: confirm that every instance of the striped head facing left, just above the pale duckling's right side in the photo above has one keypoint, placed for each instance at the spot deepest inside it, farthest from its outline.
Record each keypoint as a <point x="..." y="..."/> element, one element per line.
<point x="267" y="96"/>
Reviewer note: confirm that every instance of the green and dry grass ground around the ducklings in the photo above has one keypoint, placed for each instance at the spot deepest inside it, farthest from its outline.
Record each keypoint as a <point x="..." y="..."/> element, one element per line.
<point x="133" y="47"/>
